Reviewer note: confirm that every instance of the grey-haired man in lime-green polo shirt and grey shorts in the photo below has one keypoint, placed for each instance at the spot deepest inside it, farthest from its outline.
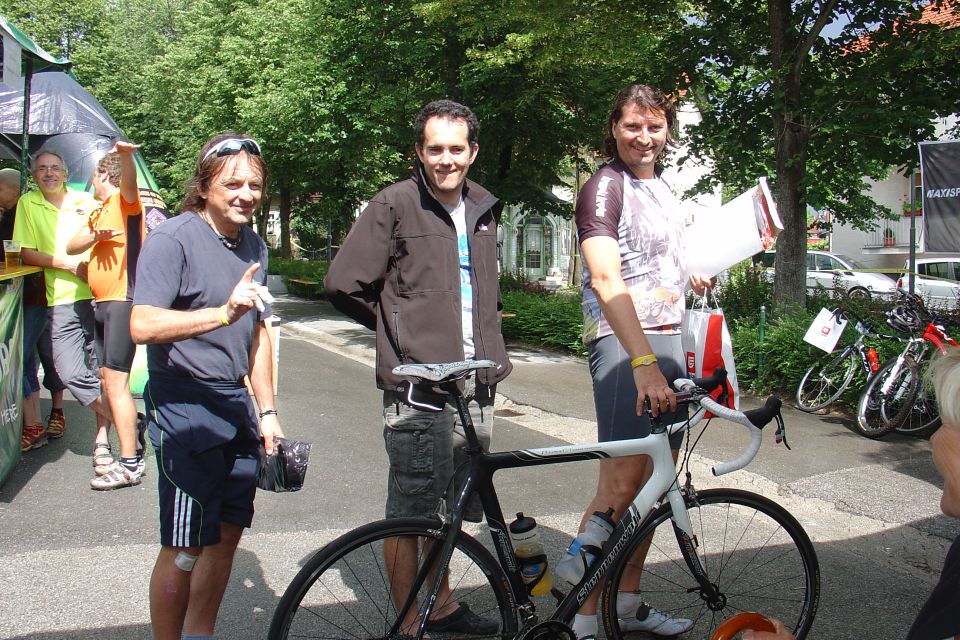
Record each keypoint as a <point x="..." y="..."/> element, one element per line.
<point x="46" y="221"/>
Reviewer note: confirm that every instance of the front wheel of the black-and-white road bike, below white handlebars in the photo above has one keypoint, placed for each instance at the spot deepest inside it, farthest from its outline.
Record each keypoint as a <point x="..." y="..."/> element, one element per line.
<point x="754" y="553"/>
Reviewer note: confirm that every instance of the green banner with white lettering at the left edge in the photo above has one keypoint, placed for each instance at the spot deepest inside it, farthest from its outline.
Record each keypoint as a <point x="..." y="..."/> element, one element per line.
<point x="11" y="373"/>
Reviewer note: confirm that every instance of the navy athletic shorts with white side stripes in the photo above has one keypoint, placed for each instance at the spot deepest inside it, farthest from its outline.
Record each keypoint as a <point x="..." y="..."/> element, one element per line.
<point x="208" y="453"/>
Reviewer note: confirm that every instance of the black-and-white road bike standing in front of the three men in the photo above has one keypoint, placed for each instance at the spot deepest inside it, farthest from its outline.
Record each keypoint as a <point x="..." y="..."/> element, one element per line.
<point x="712" y="553"/>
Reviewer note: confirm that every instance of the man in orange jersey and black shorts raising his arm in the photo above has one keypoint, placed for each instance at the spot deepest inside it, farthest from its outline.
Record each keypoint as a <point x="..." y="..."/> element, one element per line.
<point x="114" y="235"/>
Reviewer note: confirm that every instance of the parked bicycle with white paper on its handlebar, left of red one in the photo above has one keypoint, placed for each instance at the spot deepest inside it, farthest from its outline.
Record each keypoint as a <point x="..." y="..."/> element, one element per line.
<point x="831" y="375"/>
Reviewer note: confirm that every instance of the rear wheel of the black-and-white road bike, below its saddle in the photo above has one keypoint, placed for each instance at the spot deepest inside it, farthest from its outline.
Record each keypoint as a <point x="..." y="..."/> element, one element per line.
<point x="354" y="587"/>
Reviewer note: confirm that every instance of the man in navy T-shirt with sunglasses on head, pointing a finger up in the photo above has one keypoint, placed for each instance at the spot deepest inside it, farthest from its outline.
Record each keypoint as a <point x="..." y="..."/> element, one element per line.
<point x="198" y="307"/>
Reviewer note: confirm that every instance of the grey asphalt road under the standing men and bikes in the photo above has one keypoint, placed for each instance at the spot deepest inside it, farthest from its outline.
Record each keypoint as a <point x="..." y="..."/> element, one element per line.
<point x="76" y="563"/>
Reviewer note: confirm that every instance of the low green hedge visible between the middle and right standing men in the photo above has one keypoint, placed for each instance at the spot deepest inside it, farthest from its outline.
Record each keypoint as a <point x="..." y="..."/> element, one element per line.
<point x="551" y="320"/>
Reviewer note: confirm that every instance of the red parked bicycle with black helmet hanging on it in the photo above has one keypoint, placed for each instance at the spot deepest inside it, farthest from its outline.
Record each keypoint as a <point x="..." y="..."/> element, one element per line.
<point x="900" y="396"/>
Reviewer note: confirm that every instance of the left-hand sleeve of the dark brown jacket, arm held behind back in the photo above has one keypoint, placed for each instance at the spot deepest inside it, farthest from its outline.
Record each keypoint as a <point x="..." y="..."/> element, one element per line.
<point x="357" y="273"/>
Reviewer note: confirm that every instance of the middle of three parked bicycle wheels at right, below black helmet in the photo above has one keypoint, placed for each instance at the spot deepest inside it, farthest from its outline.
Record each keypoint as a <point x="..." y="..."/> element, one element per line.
<point x="879" y="413"/>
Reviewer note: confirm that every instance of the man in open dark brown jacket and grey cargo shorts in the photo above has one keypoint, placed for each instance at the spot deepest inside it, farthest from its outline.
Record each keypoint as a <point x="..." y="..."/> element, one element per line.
<point x="419" y="267"/>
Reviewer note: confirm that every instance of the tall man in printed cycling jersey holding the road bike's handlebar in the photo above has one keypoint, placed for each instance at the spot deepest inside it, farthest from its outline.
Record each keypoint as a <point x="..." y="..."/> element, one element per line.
<point x="631" y="233"/>
